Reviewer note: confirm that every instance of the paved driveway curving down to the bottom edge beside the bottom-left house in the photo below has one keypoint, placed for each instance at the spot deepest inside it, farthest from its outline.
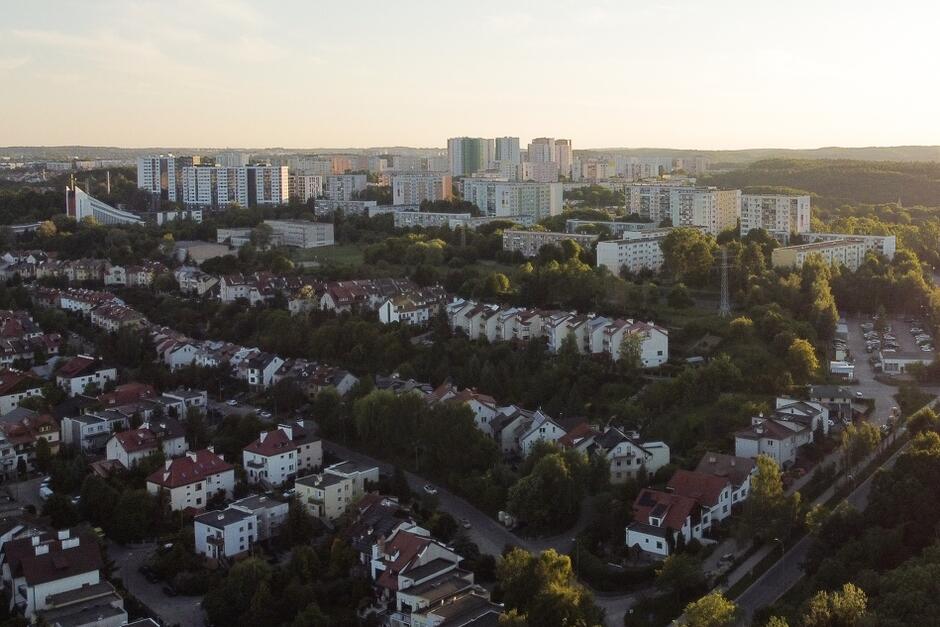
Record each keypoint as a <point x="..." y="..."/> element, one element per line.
<point x="180" y="610"/>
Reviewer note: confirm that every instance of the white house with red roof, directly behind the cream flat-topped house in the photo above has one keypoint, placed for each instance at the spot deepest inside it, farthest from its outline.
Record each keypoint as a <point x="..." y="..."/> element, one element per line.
<point x="282" y="454"/>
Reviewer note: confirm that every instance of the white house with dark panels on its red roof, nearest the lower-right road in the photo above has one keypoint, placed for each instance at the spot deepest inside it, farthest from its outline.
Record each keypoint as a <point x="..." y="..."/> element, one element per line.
<point x="660" y="519"/>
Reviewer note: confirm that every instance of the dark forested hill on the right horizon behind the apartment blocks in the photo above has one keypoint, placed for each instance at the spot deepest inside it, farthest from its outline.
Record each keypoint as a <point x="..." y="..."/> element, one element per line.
<point x="838" y="182"/>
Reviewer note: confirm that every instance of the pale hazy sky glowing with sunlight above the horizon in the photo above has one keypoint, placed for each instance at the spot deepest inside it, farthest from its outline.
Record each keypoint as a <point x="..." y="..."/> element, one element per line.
<point x="676" y="73"/>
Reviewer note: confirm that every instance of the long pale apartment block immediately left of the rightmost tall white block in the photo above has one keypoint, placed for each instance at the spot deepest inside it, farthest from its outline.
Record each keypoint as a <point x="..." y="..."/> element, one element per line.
<point x="682" y="205"/>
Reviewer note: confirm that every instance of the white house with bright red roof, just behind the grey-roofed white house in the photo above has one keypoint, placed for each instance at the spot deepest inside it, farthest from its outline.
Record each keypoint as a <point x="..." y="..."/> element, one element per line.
<point x="194" y="478"/>
